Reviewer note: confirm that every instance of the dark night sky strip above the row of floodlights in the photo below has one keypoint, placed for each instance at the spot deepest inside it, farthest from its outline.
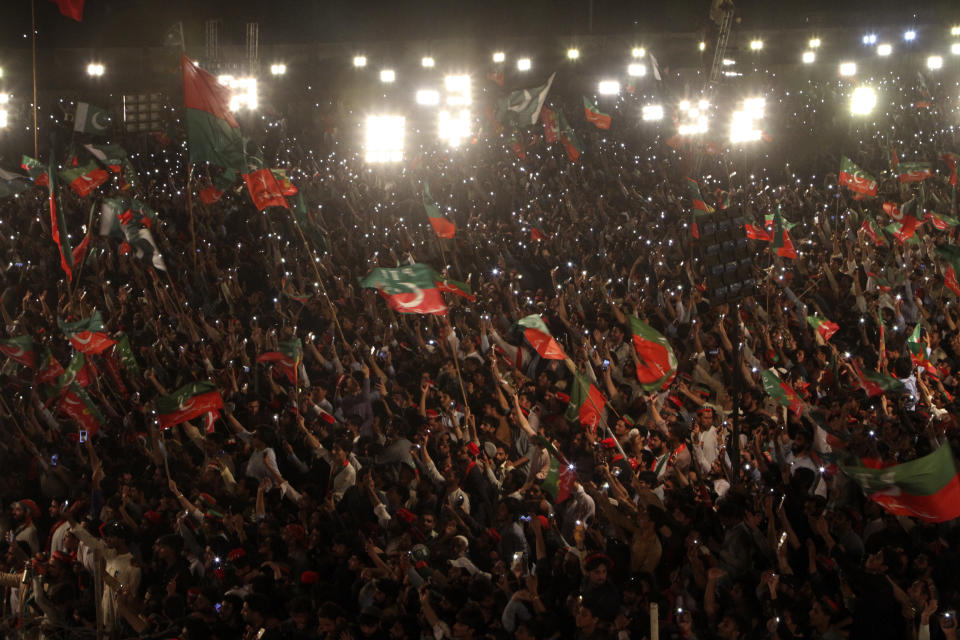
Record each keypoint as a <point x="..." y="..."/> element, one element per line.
<point x="144" y="22"/>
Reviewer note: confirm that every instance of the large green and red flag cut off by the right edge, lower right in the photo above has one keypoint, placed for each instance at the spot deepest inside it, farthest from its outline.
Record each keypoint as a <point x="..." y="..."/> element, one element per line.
<point x="926" y="488"/>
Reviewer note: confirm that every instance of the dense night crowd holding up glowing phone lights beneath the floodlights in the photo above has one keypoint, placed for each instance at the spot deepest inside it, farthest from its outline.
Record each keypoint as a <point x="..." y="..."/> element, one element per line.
<point x="407" y="484"/>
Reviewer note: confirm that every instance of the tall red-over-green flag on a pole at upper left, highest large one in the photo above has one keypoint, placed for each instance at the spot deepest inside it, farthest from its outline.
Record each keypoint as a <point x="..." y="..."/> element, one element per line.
<point x="213" y="134"/>
